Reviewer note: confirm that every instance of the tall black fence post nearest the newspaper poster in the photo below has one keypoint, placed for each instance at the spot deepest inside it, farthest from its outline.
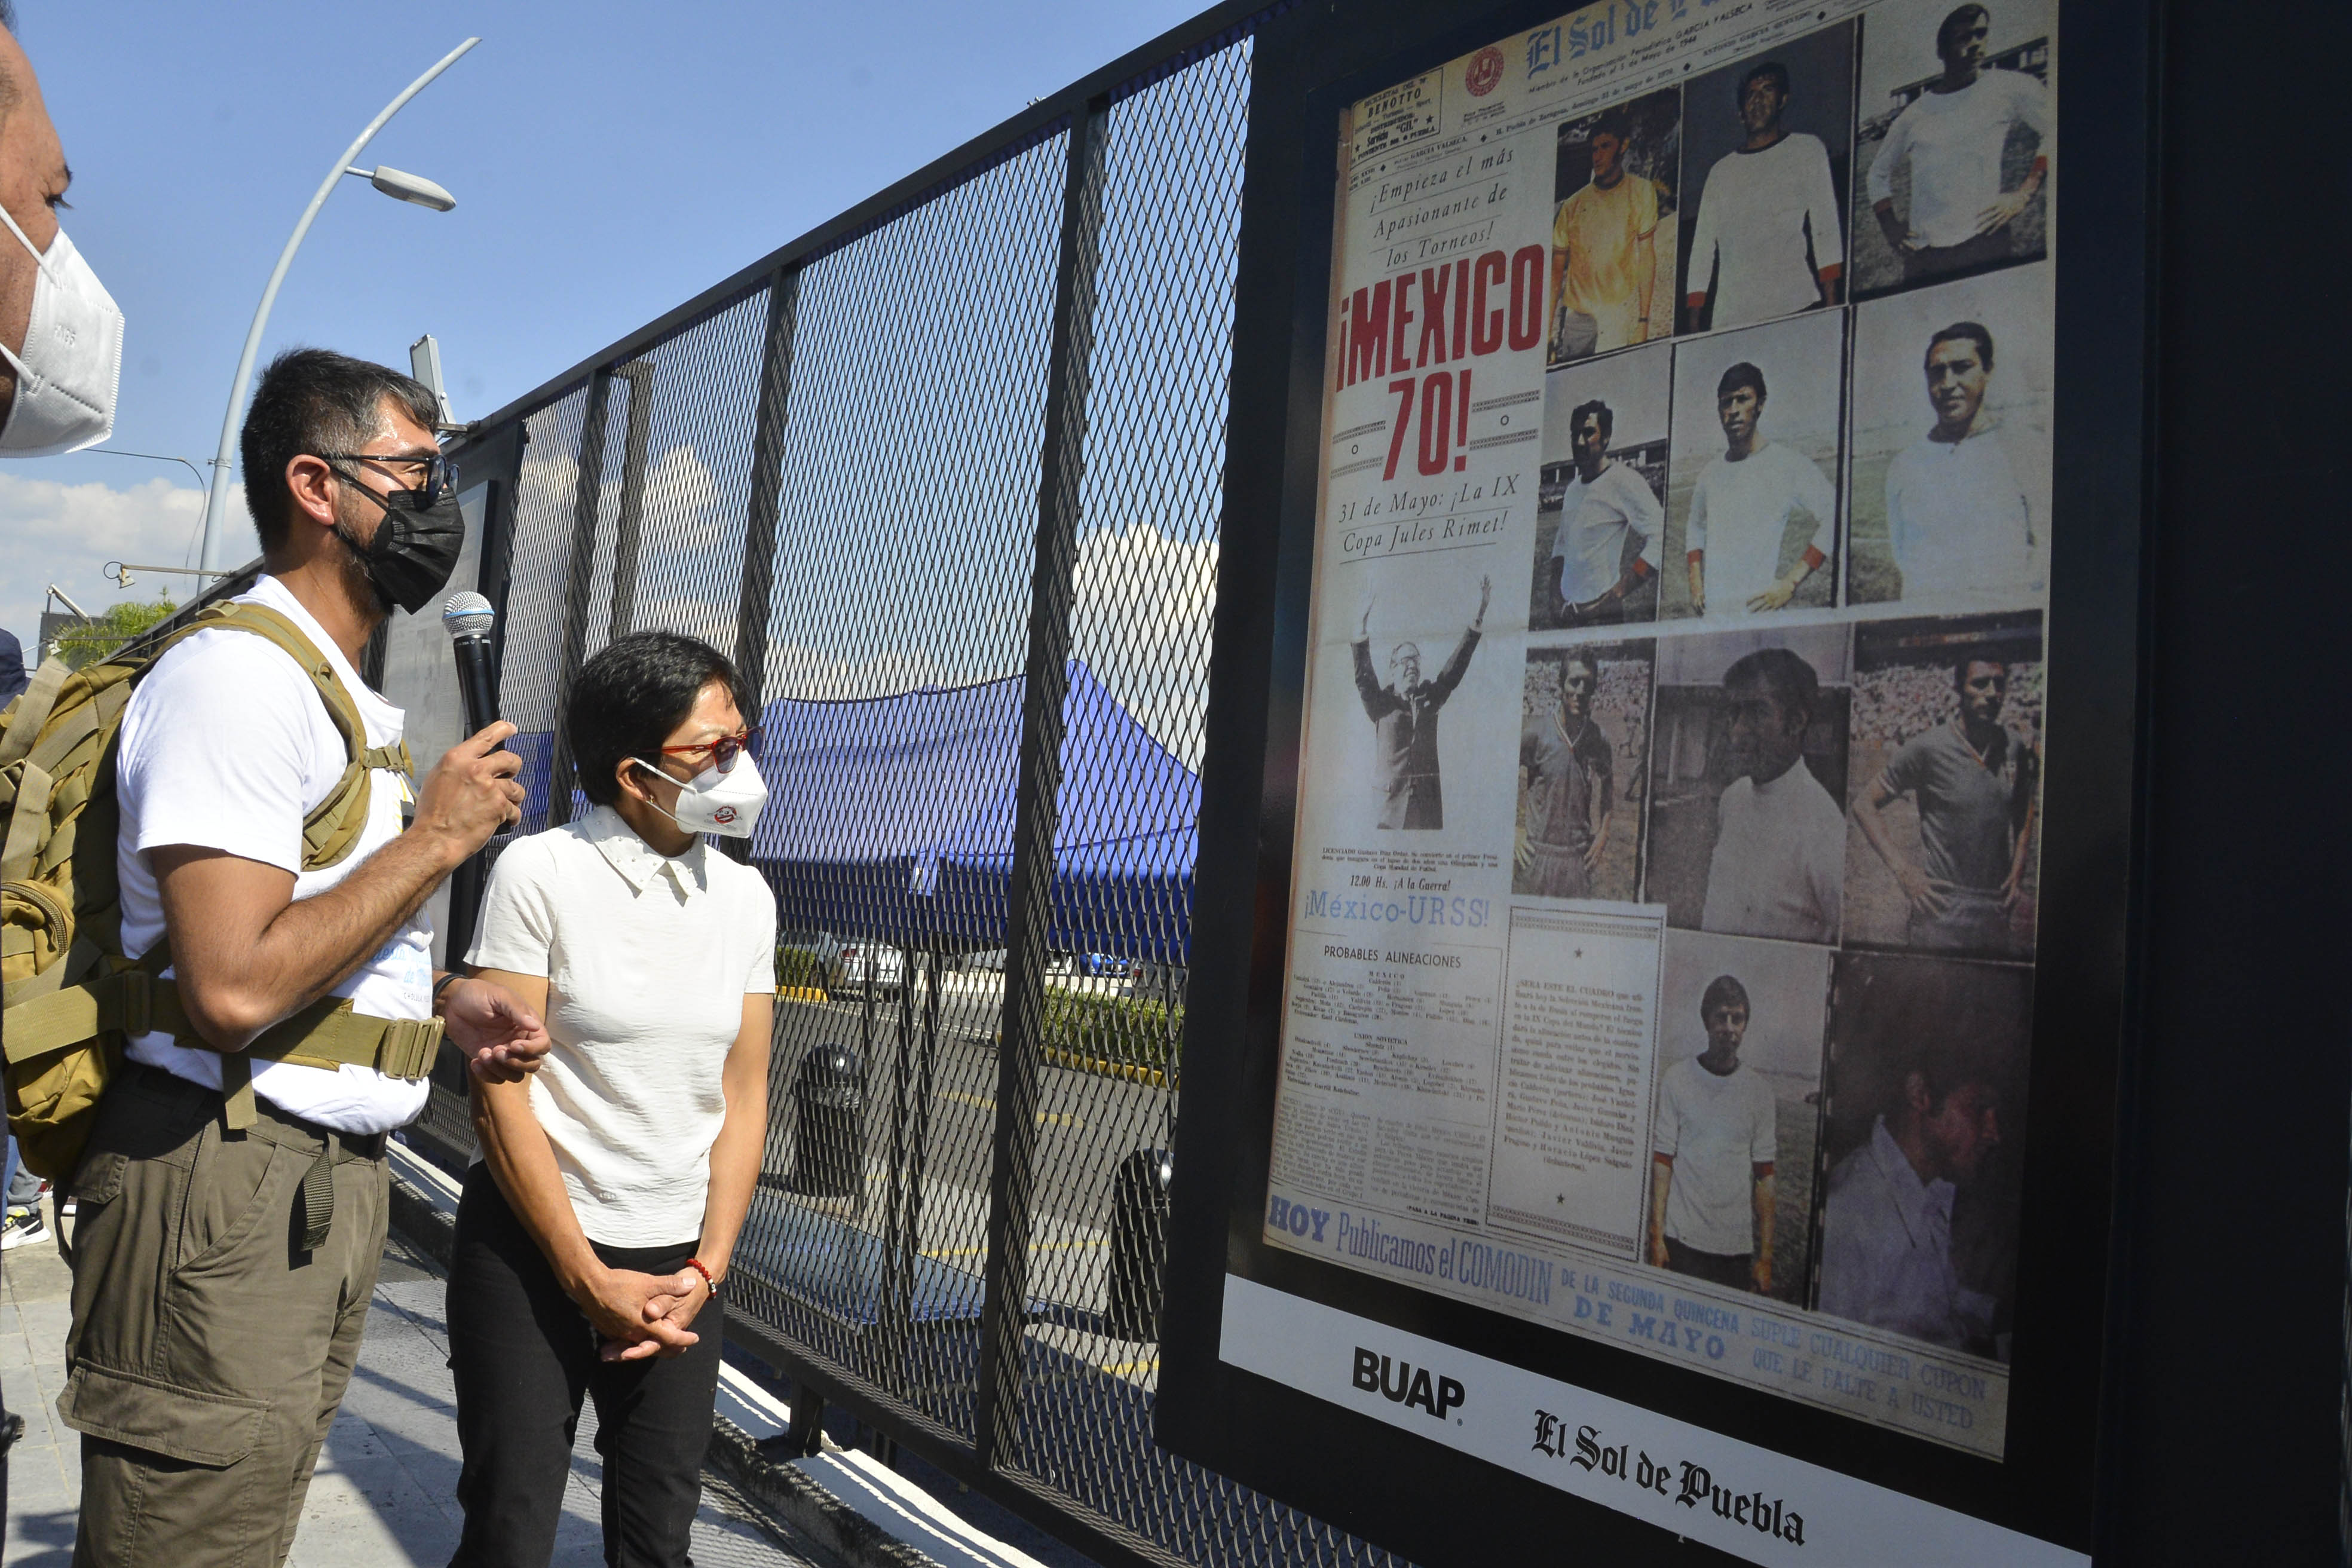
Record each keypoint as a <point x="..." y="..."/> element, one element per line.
<point x="1029" y="916"/>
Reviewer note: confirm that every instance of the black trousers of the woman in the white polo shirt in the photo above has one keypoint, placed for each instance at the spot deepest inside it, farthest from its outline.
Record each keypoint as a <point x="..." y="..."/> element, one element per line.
<point x="523" y="1358"/>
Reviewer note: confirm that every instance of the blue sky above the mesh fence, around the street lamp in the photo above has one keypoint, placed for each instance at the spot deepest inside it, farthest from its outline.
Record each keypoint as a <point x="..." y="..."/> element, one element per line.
<point x="608" y="163"/>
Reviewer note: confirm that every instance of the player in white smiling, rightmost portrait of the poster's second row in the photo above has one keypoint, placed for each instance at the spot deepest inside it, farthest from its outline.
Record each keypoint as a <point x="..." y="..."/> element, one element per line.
<point x="1958" y="521"/>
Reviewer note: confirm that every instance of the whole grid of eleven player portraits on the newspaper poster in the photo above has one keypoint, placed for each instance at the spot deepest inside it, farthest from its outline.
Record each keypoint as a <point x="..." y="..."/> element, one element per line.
<point x="1800" y="361"/>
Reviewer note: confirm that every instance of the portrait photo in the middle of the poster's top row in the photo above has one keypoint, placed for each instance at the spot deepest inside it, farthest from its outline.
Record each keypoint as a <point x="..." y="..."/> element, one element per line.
<point x="1770" y="239"/>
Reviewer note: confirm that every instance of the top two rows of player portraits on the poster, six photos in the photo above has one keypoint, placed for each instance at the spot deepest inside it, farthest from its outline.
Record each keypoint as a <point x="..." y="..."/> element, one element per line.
<point x="1800" y="330"/>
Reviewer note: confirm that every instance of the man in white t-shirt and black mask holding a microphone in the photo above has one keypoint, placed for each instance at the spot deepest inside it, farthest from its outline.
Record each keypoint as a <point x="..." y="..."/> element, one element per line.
<point x="227" y="1242"/>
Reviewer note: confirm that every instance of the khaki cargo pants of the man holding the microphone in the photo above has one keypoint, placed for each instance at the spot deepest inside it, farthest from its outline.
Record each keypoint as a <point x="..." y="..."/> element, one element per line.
<point x="208" y="1355"/>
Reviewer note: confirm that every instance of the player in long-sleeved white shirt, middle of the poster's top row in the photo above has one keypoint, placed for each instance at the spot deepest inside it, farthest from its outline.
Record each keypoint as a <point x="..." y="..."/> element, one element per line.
<point x="1768" y="220"/>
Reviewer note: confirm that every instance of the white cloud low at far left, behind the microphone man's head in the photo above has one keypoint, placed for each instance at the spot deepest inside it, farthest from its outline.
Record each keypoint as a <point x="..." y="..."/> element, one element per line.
<point x="67" y="532"/>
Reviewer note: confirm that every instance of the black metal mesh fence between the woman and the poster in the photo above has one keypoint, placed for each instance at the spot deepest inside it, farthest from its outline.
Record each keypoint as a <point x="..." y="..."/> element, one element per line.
<point x="951" y="488"/>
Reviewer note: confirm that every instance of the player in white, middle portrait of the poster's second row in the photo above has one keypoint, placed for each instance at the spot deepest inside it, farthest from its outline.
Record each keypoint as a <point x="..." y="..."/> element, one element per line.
<point x="1744" y="504"/>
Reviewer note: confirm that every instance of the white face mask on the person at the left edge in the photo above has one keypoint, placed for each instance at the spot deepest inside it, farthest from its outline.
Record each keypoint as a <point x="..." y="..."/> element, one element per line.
<point x="72" y="368"/>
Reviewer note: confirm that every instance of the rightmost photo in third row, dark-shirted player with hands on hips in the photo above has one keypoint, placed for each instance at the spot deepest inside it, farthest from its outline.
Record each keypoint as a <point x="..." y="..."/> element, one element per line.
<point x="1949" y="812"/>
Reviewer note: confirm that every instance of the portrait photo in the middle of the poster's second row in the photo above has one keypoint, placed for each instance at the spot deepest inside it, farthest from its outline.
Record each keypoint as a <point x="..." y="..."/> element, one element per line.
<point x="1751" y="490"/>
